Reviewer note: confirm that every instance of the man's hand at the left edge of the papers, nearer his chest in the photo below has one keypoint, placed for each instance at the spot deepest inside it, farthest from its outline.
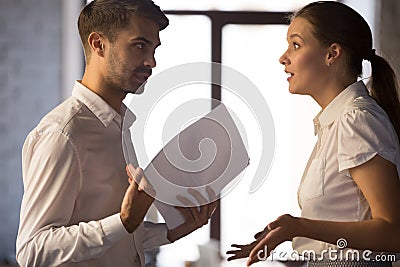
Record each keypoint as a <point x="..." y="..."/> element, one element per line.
<point x="136" y="201"/>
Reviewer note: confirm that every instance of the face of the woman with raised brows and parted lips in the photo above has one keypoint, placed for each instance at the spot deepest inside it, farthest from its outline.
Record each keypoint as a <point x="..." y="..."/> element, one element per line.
<point x="304" y="60"/>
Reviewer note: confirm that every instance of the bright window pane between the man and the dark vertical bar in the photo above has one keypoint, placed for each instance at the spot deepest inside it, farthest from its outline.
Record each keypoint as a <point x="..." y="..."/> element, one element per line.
<point x="180" y="44"/>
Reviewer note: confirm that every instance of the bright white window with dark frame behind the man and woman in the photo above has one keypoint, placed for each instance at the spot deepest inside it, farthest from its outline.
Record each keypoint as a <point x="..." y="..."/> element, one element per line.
<point x="254" y="51"/>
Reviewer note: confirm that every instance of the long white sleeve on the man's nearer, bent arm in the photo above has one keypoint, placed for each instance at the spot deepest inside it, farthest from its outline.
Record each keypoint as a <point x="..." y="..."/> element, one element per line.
<point x="52" y="179"/>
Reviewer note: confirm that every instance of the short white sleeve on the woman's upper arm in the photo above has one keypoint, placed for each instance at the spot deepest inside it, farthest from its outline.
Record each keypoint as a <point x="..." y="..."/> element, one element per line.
<point x="362" y="135"/>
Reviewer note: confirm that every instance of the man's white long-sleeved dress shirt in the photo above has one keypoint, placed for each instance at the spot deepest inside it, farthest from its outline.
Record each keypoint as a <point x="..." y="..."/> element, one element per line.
<point x="74" y="182"/>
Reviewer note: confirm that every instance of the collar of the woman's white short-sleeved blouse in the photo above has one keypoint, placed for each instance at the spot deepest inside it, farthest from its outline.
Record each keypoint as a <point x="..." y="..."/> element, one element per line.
<point x="326" y="116"/>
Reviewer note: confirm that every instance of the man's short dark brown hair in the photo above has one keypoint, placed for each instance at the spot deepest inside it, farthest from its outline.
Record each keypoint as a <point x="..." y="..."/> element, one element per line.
<point x="108" y="17"/>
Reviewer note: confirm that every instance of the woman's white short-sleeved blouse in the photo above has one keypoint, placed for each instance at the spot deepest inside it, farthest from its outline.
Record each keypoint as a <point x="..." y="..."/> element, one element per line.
<point x="351" y="130"/>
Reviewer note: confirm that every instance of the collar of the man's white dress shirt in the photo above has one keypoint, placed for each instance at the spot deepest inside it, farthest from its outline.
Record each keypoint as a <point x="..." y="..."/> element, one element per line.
<point x="104" y="112"/>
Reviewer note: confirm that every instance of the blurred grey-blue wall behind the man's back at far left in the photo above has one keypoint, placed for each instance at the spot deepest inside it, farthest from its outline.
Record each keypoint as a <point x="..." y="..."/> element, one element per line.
<point x="30" y="48"/>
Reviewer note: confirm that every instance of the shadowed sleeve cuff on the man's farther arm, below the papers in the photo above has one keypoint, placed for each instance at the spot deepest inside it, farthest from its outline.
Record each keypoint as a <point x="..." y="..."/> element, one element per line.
<point x="155" y="234"/>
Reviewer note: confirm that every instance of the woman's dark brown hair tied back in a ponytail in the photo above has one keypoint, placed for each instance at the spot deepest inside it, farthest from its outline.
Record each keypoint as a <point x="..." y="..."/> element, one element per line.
<point x="334" y="22"/>
